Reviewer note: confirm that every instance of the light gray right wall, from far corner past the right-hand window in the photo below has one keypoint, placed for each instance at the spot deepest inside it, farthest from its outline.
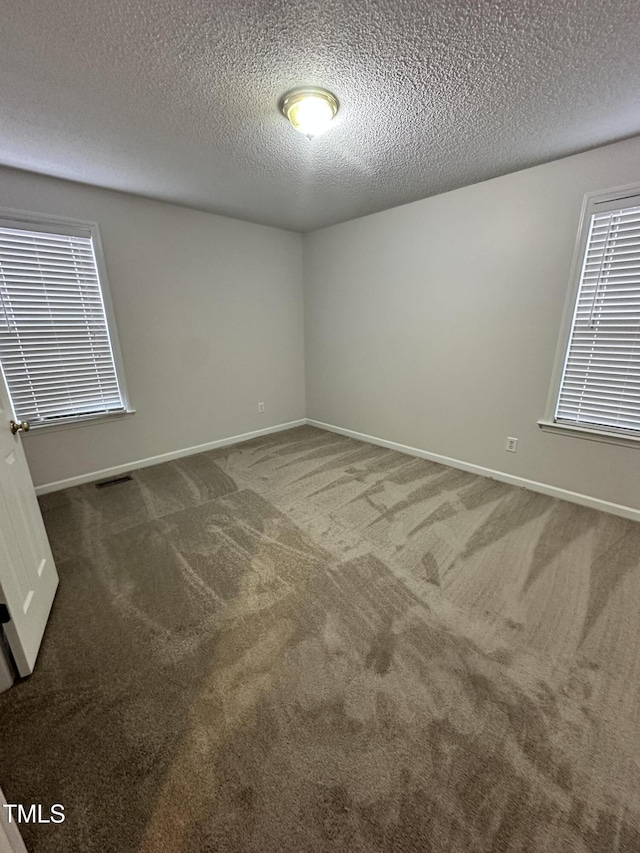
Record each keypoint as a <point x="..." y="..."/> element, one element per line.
<point x="435" y="324"/>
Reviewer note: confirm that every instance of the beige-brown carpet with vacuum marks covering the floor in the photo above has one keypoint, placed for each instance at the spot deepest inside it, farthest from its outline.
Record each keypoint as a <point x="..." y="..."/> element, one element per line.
<point x="305" y="643"/>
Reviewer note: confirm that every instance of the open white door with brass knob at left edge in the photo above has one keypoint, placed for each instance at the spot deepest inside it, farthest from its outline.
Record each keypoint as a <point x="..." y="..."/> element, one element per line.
<point x="28" y="577"/>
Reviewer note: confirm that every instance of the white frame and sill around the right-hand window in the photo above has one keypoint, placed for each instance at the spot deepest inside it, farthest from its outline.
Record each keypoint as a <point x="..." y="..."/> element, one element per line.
<point x="592" y="202"/>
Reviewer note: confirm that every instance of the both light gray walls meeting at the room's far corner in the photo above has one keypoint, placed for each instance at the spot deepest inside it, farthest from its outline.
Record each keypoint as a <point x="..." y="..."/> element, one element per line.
<point x="433" y="325"/>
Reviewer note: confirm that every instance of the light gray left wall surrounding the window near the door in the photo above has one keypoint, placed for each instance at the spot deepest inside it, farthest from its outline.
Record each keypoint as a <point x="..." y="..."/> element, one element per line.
<point x="209" y="316"/>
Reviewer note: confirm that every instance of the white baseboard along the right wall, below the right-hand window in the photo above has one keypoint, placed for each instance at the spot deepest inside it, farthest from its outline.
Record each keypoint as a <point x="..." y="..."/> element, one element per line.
<point x="511" y="479"/>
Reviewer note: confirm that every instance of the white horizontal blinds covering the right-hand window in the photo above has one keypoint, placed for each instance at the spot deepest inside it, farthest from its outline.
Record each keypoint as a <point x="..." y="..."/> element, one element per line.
<point x="600" y="385"/>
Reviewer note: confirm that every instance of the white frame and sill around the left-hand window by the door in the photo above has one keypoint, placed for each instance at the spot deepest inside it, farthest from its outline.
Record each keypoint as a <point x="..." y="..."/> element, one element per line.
<point x="51" y="224"/>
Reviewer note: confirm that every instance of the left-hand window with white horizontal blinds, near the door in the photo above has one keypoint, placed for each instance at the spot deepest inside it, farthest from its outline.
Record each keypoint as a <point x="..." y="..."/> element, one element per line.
<point x="58" y="351"/>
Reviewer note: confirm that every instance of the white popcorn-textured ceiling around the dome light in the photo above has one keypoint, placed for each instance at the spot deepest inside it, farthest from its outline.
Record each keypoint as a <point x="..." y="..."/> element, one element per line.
<point x="178" y="100"/>
